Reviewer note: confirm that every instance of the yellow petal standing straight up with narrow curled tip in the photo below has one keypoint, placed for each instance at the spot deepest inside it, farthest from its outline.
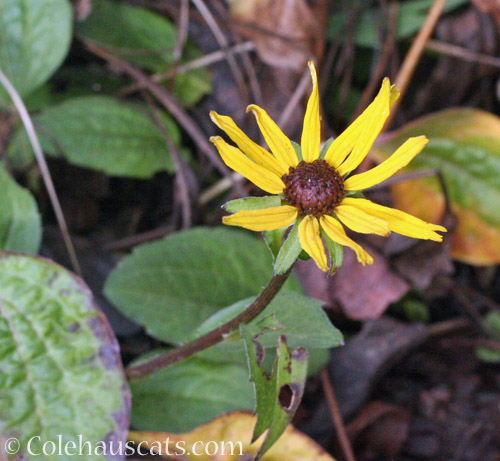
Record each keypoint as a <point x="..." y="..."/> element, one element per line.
<point x="311" y="132"/>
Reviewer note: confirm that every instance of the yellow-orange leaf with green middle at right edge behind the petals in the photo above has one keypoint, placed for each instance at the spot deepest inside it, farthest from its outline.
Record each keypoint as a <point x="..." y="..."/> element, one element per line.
<point x="464" y="144"/>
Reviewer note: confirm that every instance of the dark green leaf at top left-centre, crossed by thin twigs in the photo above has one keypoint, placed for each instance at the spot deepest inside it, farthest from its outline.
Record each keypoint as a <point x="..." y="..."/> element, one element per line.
<point x="147" y="39"/>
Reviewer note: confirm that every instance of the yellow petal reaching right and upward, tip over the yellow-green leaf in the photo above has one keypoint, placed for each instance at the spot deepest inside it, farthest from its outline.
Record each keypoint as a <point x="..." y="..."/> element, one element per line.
<point x="387" y="168"/>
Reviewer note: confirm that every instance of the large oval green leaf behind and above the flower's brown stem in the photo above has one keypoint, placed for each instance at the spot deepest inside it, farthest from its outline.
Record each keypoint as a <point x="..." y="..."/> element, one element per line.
<point x="172" y="285"/>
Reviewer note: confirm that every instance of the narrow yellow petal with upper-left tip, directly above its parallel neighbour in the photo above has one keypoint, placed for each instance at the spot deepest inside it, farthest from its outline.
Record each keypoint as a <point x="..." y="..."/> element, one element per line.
<point x="257" y="153"/>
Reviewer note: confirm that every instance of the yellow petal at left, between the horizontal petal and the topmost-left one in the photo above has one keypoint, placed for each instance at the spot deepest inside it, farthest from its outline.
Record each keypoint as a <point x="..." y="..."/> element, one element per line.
<point x="236" y="160"/>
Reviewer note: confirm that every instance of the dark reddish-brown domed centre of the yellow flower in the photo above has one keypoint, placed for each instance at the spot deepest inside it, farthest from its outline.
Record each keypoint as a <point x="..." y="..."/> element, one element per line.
<point x="314" y="188"/>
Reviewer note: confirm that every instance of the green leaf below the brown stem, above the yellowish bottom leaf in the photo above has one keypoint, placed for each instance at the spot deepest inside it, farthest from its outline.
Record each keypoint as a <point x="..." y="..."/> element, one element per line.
<point x="189" y="393"/>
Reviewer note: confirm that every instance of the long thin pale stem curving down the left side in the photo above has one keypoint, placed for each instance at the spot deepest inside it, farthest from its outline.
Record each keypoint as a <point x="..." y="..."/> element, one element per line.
<point x="44" y="169"/>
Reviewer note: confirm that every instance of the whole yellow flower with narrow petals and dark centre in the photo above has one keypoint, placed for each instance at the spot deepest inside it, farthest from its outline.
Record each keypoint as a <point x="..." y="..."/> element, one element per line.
<point x="316" y="191"/>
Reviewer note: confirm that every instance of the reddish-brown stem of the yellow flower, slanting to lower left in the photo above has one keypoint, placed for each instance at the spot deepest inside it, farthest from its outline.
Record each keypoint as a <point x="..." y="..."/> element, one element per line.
<point x="214" y="336"/>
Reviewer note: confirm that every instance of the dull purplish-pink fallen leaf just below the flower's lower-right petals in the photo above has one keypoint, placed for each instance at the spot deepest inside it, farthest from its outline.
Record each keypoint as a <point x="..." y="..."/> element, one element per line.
<point x="363" y="292"/>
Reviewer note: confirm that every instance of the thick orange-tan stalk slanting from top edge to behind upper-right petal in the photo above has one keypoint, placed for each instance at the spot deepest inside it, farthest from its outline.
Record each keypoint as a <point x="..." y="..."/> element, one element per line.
<point x="414" y="53"/>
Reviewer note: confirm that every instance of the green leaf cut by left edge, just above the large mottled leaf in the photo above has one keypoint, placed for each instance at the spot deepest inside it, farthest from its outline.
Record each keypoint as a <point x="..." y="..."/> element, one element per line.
<point x="20" y="224"/>
